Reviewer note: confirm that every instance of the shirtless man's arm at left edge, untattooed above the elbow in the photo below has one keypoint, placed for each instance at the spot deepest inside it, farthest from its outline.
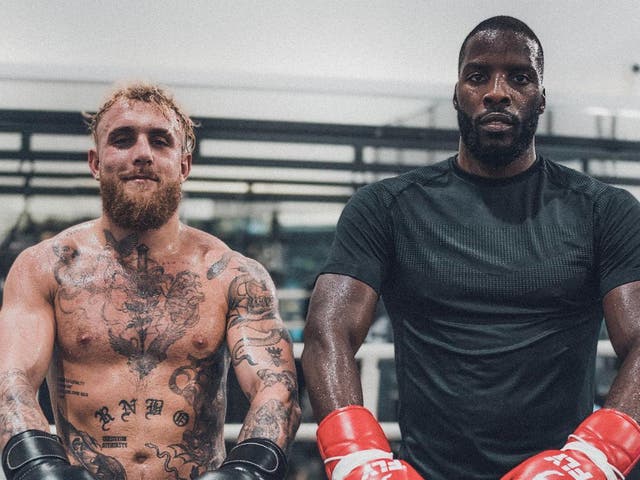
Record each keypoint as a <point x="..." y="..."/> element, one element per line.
<point x="26" y="345"/>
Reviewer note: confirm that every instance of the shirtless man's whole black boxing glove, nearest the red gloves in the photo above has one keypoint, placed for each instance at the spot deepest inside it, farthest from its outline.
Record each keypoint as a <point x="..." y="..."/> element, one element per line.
<point x="251" y="459"/>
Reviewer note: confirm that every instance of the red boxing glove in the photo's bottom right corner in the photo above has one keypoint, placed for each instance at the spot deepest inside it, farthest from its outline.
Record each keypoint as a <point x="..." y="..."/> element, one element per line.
<point x="605" y="446"/>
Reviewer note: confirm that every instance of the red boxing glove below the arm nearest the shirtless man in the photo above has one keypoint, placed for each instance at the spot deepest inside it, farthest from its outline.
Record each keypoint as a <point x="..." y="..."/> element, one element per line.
<point x="354" y="447"/>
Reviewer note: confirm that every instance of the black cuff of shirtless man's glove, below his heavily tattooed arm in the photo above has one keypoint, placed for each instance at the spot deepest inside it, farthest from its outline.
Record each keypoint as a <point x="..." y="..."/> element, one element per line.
<point x="259" y="454"/>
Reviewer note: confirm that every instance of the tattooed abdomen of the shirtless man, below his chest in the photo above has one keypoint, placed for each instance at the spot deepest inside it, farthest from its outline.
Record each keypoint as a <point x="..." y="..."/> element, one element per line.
<point x="166" y="426"/>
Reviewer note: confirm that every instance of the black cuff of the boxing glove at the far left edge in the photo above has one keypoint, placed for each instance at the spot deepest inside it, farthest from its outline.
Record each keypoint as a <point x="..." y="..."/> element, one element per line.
<point x="28" y="446"/>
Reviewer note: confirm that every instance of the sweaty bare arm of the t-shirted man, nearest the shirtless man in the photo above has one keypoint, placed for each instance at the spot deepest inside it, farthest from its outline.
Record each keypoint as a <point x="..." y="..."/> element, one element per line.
<point x="340" y="314"/>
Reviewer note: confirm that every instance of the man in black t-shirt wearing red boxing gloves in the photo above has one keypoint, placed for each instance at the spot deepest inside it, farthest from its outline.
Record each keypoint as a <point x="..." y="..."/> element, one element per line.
<point x="496" y="267"/>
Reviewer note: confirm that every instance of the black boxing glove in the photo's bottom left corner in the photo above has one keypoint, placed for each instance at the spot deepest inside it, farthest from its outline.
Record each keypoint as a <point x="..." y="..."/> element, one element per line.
<point x="38" y="455"/>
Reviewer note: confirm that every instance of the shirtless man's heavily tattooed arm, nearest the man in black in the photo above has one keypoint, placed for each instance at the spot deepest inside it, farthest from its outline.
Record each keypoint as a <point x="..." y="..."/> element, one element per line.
<point x="262" y="356"/>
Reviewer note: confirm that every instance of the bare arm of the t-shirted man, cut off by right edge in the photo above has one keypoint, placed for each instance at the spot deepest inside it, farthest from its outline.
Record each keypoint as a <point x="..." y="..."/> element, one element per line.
<point x="622" y="314"/>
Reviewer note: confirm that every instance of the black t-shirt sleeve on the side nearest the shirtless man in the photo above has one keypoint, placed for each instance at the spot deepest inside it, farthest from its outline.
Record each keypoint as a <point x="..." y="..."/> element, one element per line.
<point x="362" y="243"/>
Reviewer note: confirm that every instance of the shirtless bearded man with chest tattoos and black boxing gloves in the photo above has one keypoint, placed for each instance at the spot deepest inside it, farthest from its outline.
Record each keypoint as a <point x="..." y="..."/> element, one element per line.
<point x="134" y="319"/>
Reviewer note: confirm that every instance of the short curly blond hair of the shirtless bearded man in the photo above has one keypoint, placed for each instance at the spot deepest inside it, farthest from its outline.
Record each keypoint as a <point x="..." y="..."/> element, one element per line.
<point x="148" y="93"/>
